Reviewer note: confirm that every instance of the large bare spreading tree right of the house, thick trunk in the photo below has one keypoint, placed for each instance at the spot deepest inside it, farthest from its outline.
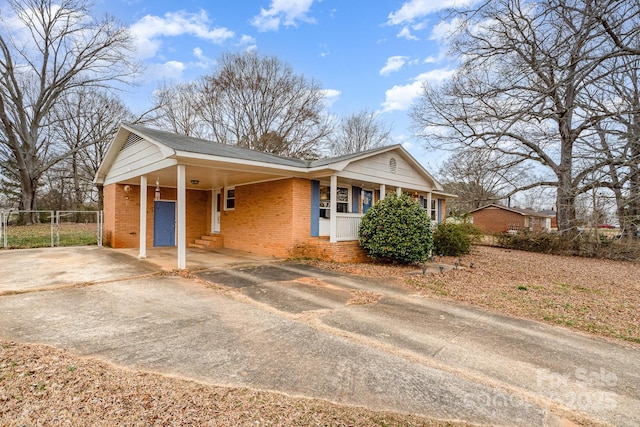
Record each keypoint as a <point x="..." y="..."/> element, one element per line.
<point x="523" y="89"/>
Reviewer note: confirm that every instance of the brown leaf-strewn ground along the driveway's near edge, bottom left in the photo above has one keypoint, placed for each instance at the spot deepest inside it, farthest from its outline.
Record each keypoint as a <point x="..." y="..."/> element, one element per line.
<point x="40" y="385"/>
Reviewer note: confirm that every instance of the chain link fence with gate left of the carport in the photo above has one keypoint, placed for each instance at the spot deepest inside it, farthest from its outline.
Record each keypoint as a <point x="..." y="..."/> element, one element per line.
<point x="43" y="228"/>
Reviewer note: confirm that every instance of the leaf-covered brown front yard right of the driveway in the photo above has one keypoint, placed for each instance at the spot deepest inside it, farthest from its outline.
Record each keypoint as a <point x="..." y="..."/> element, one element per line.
<point x="596" y="296"/>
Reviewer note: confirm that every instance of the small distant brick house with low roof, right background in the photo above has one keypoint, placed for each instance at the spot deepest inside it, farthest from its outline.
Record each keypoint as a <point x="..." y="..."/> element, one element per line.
<point x="501" y="219"/>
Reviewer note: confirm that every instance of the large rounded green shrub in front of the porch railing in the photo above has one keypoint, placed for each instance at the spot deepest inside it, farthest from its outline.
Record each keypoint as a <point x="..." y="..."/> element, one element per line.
<point x="397" y="229"/>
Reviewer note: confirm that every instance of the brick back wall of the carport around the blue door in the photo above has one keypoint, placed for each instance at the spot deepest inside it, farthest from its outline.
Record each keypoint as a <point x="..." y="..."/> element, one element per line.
<point x="122" y="214"/>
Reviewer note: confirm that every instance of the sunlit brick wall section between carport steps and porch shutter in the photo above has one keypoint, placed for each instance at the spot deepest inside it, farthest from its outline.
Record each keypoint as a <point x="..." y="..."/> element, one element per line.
<point x="269" y="218"/>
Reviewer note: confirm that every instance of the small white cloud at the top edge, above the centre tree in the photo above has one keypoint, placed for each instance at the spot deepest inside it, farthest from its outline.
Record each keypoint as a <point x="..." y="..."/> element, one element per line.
<point x="282" y="12"/>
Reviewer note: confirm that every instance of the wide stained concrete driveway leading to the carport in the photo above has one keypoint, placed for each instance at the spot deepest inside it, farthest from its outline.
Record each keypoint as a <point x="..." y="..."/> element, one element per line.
<point x="256" y="322"/>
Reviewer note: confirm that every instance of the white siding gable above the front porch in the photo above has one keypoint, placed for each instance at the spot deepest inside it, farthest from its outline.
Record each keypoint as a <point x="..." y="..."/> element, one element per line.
<point x="376" y="169"/>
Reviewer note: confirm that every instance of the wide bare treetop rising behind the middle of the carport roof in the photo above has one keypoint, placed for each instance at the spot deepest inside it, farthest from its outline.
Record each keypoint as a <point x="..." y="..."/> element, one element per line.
<point x="259" y="103"/>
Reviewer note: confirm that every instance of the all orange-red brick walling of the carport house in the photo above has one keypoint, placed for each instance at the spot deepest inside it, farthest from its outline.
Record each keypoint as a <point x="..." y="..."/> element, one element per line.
<point x="271" y="218"/>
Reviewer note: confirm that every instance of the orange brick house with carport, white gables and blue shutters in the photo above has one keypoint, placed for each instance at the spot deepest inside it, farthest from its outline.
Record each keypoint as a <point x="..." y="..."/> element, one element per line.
<point x="164" y="189"/>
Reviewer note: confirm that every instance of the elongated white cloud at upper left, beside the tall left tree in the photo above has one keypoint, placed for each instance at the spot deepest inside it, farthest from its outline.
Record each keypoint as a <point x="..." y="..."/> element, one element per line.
<point x="149" y="30"/>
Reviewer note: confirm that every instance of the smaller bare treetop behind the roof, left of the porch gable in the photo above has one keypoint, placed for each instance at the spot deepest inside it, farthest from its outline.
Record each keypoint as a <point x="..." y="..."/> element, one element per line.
<point x="360" y="131"/>
